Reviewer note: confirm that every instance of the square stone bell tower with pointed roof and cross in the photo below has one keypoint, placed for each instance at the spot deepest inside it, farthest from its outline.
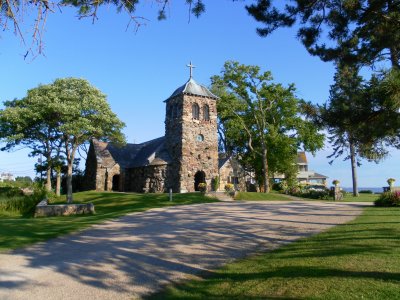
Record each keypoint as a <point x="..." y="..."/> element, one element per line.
<point x="191" y="136"/>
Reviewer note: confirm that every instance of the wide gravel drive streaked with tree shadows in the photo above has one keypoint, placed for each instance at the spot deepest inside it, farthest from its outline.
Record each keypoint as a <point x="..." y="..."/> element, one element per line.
<point x="136" y="254"/>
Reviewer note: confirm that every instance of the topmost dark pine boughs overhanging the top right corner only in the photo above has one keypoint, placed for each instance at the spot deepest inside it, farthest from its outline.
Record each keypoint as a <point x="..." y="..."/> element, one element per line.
<point x="354" y="31"/>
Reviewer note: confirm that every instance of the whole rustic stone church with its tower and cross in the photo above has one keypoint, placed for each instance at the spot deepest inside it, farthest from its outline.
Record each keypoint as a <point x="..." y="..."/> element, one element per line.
<point x="186" y="156"/>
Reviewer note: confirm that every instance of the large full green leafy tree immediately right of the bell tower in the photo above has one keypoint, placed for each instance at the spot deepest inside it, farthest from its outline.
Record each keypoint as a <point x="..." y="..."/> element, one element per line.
<point x="262" y="120"/>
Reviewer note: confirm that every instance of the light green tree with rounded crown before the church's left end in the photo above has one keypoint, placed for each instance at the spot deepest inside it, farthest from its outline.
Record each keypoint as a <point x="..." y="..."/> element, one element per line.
<point x="83" y="113"/>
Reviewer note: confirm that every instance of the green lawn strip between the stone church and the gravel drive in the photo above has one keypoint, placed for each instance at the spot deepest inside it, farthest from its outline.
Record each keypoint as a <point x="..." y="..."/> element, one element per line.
<point x="17" y="231"/>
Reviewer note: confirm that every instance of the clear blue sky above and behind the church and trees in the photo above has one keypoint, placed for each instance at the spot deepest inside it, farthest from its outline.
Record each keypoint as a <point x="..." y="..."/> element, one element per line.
<point x="137" y="70"/>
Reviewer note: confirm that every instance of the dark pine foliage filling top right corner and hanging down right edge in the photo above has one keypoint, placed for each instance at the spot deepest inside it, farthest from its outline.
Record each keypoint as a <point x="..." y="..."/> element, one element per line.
<point x="354" y="34"/>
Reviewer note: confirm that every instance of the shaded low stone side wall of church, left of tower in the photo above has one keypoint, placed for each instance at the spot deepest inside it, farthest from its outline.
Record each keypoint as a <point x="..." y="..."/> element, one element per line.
<point x="149" y="179"/>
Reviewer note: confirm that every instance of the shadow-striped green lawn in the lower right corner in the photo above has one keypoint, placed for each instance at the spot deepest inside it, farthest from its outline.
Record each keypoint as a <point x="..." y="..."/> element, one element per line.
<point x="358" y="260"/>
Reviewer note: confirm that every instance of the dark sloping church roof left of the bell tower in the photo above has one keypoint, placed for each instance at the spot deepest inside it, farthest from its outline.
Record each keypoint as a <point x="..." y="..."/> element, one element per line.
<point x="132" y="155"/>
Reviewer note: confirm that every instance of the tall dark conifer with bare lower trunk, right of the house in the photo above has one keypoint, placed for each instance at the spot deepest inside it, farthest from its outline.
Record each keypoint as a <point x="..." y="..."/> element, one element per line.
<point x="344" y="116"/>
